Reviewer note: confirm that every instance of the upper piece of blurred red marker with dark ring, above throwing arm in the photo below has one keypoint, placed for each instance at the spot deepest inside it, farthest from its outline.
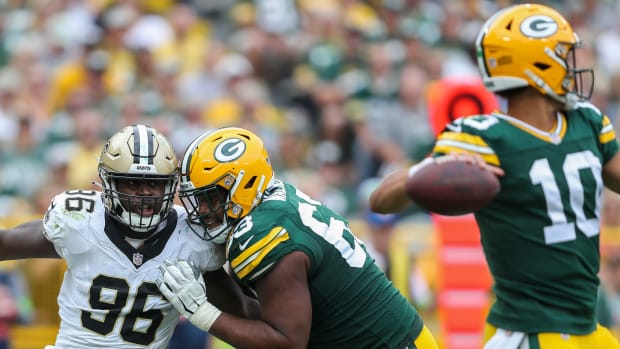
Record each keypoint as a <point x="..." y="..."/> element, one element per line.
<point x="451" y="98"/>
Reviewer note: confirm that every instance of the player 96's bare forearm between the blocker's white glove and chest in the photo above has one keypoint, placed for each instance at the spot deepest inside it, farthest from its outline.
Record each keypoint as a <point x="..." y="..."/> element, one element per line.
<point x="228" y="296"/>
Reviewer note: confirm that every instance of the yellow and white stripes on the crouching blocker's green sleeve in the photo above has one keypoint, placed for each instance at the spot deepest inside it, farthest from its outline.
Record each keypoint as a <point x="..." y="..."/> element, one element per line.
<point x="247" y="261"/>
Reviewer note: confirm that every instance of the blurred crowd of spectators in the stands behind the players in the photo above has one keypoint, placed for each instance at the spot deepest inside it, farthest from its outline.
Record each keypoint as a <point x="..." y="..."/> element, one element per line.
<point x="336" y="88"/>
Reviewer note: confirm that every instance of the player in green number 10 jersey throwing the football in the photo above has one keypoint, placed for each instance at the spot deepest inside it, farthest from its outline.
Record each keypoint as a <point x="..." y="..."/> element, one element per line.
<point x="554" y="151"/>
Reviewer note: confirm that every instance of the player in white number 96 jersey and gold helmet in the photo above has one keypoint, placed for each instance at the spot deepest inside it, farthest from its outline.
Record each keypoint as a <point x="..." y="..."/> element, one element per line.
<point x="114" y="242"/>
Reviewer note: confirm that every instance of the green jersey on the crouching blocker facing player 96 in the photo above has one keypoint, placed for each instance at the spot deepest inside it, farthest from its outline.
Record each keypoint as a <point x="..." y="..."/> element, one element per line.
<point x="353" y="304"/>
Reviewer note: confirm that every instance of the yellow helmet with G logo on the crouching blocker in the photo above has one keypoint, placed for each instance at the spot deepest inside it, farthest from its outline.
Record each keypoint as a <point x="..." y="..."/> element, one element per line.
<point x="224" y="174"/>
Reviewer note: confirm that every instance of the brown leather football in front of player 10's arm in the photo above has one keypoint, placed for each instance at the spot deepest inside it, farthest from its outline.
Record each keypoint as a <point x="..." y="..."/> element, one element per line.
<point x="452" y="188"/>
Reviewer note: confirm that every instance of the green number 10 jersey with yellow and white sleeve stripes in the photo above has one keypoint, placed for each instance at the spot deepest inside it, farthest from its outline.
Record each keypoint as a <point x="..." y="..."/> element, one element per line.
<point x="540" y="235"/>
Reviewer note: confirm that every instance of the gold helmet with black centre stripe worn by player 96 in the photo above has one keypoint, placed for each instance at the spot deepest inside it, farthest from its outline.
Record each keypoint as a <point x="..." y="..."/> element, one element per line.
<point x="138" y="154"/>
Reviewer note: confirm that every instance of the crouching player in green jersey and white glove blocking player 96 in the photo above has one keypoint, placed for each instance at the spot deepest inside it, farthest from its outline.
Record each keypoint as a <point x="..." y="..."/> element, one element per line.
<point x="316" y="284"/>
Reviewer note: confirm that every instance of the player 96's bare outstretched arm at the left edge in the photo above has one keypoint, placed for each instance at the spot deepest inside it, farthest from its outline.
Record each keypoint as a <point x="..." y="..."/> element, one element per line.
<point x="25" y="241"/>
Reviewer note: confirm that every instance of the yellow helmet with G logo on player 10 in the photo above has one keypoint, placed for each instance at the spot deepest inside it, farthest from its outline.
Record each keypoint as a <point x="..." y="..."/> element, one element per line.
<point x="532" y="45"/>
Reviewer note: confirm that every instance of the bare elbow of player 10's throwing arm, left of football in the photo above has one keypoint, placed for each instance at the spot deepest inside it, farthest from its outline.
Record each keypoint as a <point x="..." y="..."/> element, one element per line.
<point x="391" y="194"/>
